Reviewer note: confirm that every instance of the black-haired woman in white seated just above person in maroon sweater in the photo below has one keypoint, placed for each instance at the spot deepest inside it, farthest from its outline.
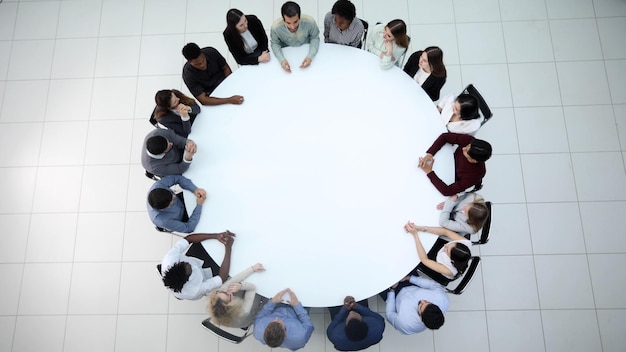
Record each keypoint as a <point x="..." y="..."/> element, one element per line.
<point x="460" y="115"/>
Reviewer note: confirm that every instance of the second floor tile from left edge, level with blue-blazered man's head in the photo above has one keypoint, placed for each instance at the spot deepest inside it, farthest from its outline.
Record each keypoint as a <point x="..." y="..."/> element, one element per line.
<point x="58" y="189"/>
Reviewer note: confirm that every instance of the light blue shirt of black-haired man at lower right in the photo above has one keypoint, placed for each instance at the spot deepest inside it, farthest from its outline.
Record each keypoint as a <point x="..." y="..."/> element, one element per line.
<point x="402" y="310"/>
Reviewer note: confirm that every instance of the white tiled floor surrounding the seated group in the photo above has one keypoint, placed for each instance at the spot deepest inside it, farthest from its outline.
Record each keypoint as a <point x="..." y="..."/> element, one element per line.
<point x="77" y="79"/>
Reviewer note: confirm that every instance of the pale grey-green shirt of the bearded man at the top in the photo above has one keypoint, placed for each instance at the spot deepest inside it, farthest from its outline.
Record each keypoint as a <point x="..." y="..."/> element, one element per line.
<point x="307" y="32"/>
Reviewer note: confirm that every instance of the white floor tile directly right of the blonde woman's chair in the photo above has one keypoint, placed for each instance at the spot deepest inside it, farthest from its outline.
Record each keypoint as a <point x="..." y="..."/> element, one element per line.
<point x="505" y="239"/>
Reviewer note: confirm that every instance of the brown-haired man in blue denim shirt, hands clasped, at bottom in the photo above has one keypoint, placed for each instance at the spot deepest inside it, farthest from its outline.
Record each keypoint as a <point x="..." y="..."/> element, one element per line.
<point x="284" y="325"/>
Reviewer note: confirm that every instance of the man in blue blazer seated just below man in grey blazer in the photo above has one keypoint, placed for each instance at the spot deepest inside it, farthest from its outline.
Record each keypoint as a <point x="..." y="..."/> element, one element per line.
<point x="167" y="210"/>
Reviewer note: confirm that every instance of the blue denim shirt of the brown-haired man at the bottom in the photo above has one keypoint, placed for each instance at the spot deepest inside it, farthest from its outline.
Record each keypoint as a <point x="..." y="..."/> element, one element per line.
<point x="297" y="323"/>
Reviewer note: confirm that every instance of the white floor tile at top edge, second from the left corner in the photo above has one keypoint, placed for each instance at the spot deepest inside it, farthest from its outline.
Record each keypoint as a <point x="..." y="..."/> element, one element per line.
<point x="31" y="25"/>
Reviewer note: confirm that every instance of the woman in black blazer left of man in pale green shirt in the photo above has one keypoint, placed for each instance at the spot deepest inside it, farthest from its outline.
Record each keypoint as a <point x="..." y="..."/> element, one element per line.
<point x="246" y="38"/>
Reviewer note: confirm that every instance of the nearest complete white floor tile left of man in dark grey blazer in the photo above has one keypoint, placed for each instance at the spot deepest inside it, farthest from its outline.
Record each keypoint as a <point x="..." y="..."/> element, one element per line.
<point x="109" y="142"/>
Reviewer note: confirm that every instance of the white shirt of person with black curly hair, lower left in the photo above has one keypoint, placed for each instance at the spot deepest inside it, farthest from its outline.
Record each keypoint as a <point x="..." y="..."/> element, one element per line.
<point x="201" y="281"/>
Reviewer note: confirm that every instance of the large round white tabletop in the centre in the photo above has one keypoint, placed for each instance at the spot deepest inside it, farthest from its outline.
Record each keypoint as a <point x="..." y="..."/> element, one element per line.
<point x="317" y="173"/>
